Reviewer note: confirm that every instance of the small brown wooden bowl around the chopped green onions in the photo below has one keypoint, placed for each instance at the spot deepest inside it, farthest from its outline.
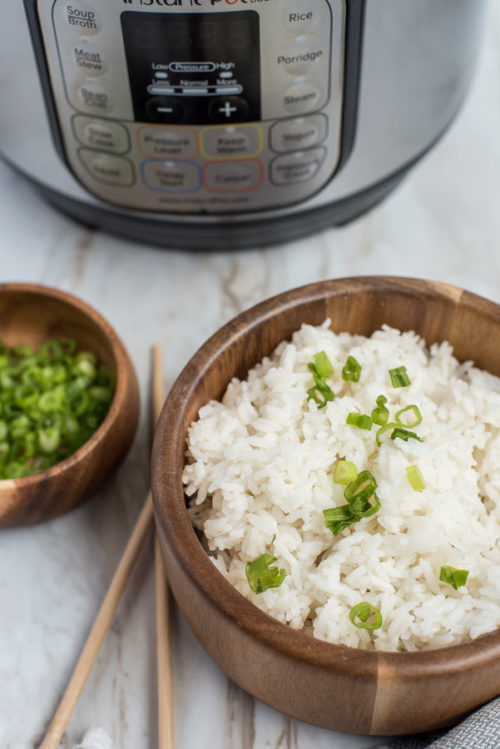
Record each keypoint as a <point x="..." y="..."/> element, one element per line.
<point x="31" y="314"/>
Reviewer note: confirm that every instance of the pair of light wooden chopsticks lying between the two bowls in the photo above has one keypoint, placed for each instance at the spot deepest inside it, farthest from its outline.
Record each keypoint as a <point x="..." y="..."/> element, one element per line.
<point x="108" y="607"/>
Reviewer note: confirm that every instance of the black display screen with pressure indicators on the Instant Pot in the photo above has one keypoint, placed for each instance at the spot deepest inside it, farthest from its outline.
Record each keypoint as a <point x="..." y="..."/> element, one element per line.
<point x="193" y="68"/>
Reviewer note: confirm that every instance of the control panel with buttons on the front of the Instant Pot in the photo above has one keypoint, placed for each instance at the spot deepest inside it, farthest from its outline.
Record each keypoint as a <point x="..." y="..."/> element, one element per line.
<point x="198" y="106"/>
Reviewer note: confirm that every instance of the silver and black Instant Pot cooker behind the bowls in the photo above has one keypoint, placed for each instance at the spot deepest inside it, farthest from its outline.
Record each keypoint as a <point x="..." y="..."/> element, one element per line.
<point x="227" y="123"/>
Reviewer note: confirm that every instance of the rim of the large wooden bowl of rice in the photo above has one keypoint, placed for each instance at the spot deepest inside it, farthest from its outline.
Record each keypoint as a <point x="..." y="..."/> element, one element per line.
<point x="187" y="551"/>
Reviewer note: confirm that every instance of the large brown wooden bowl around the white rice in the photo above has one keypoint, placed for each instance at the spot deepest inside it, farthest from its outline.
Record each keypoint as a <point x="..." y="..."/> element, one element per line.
<point x="332" y="686"/>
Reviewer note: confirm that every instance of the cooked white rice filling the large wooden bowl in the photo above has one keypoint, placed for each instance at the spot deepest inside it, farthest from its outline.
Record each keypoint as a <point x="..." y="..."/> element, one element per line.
<point x="260" y="470"/>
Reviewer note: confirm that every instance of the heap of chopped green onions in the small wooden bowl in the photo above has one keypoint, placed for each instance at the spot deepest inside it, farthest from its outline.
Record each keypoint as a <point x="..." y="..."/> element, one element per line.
<point x="51" y="402"/>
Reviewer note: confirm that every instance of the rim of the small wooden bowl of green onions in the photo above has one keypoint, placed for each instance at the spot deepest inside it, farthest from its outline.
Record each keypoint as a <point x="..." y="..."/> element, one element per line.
<point x="121" y="362"/>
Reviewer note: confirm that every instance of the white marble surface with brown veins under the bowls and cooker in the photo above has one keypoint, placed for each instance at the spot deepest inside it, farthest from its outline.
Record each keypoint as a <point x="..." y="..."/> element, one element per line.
<point x="443" y="223"/>
